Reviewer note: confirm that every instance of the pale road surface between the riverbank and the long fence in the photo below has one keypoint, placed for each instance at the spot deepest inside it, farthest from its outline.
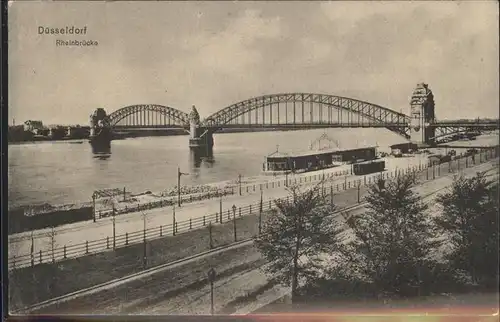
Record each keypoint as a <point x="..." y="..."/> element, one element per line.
<point x="20" y="244"/>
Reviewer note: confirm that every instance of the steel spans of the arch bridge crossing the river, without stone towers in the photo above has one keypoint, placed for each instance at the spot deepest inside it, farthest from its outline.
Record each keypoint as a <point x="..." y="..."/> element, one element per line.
<point x="288" y="111"/>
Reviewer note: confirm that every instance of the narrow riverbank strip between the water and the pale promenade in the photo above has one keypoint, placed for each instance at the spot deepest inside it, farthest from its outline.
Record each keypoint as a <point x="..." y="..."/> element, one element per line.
<point x="132" y="201"/>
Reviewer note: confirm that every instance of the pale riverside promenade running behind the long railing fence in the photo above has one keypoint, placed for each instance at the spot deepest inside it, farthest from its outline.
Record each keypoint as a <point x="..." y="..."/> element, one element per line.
<point x="77" y="233"/>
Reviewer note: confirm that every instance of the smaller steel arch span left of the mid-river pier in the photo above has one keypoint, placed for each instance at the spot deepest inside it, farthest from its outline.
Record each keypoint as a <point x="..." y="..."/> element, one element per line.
<point x="136" y="115"/>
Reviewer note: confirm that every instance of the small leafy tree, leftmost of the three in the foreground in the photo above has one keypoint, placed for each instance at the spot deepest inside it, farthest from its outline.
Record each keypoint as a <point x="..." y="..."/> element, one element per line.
<point x="296" y="234"/>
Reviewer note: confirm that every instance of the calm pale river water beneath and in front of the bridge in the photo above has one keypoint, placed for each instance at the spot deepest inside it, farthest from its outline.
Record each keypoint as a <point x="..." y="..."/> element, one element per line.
<point x="64" y="172"/>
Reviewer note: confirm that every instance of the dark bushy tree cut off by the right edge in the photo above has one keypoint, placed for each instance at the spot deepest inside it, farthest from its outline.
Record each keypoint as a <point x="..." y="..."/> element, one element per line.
<point x="470" y="218"/>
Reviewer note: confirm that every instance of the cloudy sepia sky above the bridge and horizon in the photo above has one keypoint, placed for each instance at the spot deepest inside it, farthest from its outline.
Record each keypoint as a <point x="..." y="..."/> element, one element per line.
<point x="214" y="54"/>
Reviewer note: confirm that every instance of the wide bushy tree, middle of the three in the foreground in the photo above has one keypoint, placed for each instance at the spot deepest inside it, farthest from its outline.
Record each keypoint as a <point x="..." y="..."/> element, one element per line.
<point x="391" y="242"/>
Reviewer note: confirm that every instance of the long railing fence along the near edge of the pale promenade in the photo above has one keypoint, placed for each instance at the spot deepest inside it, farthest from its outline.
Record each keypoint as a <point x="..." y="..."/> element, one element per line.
<point x="140" y="236"/>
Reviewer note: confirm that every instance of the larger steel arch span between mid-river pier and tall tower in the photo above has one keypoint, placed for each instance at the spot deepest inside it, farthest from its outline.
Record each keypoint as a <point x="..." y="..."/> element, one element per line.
<point x="374" y="115"/>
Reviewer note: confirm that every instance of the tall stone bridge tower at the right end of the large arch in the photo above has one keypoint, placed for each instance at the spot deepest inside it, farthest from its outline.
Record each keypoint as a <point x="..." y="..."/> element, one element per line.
<point x="422" y="115"/>
